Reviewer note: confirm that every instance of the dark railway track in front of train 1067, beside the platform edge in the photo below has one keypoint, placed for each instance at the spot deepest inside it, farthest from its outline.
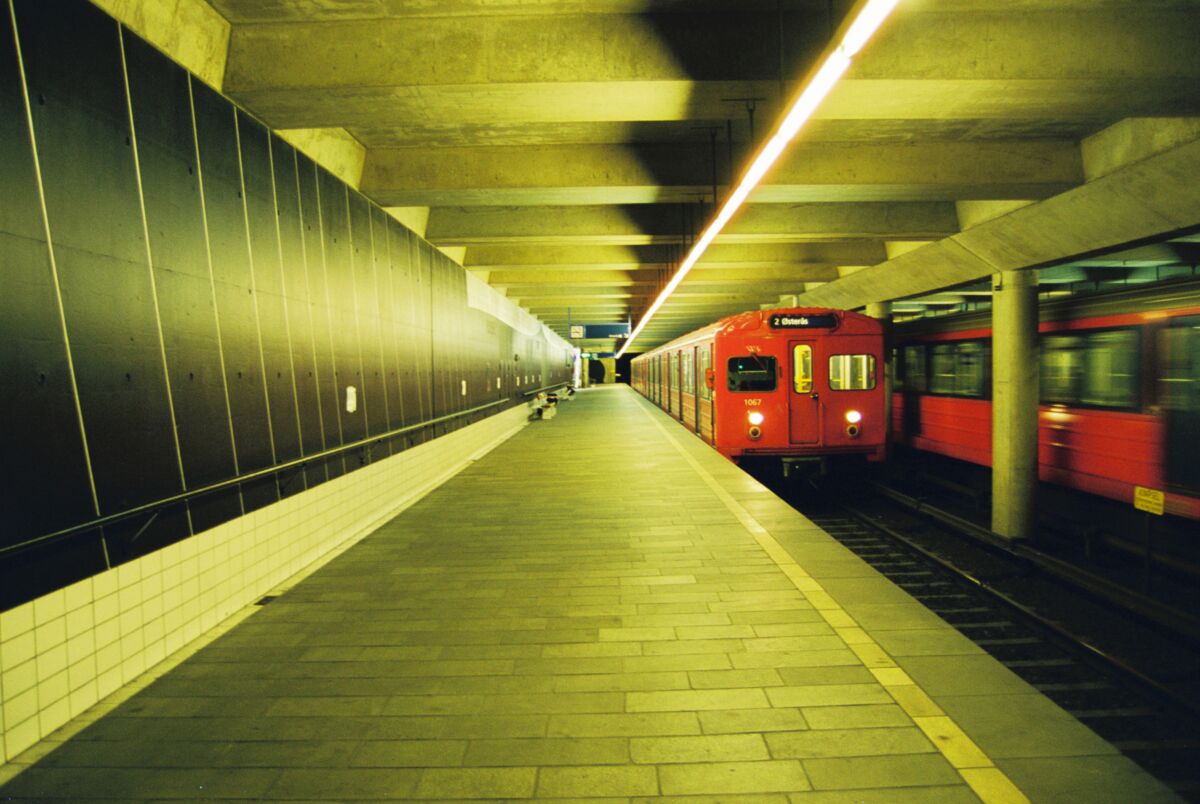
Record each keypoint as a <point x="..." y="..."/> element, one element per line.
<point x="1133" y="686"/>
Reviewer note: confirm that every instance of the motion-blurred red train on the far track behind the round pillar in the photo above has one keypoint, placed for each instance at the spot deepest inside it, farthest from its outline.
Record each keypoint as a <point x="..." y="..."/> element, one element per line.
<point x="1120" y="392"/>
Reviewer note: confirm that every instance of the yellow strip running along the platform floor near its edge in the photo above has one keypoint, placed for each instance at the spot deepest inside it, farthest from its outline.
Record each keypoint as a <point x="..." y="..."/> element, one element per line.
<point x="988" y="782"/>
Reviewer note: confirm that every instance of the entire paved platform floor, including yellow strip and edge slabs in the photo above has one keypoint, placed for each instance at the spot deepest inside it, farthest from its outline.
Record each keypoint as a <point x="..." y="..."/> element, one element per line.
<point x="601" y="609"/>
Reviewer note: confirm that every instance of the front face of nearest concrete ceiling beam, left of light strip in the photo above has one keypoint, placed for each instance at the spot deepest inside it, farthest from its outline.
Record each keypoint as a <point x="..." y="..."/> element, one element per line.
<point x="511" y="50"/>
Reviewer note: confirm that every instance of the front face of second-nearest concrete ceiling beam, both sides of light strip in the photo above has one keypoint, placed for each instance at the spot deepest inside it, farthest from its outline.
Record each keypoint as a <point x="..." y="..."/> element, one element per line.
<point x="813" y="172"/>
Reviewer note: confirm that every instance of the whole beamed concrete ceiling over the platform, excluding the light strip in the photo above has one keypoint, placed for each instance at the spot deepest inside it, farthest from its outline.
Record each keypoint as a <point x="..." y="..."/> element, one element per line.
<point x="567" y="151"/>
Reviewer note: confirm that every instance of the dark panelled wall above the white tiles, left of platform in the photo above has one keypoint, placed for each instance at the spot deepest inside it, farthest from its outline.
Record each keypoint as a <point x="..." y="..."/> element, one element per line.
<point x="184" y="298"/>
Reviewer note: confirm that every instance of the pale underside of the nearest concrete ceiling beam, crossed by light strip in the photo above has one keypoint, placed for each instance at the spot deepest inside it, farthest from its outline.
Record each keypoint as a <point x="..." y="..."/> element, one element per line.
<point x="497" y="115"/>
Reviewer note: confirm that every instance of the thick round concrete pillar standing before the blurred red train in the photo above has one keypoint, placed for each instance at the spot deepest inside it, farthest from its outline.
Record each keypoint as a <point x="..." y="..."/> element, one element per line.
<point x="1015" y="409"/>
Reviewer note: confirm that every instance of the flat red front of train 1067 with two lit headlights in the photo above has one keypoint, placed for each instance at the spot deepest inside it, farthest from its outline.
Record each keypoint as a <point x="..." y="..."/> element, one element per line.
<point x="803" y="385"/>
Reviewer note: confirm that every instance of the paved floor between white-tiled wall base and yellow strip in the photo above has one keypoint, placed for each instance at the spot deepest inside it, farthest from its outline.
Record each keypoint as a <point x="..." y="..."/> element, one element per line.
<point x="449" y="657"/>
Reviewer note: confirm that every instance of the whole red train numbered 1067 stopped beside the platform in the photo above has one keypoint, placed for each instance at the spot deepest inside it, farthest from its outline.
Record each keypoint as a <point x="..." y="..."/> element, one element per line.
<point x="796" y="383"/>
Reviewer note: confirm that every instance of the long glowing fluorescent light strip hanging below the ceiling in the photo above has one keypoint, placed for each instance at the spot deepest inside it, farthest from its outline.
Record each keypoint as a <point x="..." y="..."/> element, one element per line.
<point x="835" y="67"/>
